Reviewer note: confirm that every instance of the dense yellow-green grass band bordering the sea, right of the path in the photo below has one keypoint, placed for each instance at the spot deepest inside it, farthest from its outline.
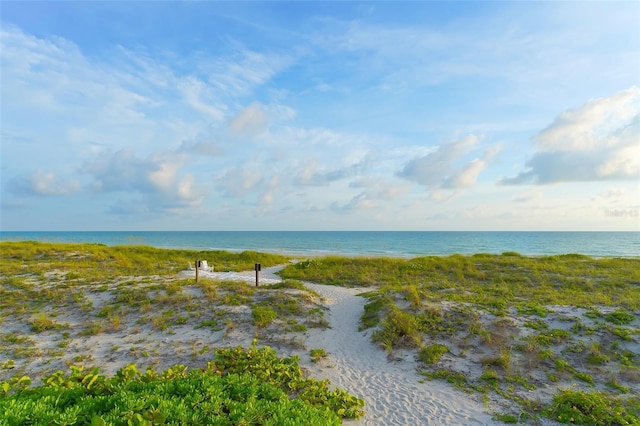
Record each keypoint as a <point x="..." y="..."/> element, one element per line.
<point x="489" y="280"/>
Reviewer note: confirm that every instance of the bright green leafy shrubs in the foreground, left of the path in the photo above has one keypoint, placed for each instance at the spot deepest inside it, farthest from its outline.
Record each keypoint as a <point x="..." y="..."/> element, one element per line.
<point x="249" y="387"/>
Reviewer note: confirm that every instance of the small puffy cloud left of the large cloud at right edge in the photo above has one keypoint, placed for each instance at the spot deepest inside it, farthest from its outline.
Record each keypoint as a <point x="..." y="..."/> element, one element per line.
<point x="437" y="169"/>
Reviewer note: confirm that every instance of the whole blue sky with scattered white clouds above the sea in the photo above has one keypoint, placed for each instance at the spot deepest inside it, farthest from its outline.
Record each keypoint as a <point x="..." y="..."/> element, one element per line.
<point x="202" y="115"/>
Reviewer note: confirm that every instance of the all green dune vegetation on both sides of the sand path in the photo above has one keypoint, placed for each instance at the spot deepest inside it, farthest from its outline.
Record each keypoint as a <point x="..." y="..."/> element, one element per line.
<point x="506" y="314"/>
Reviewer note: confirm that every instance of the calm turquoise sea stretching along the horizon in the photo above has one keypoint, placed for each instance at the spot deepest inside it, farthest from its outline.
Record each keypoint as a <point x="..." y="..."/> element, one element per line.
<point x="362" y="243"/>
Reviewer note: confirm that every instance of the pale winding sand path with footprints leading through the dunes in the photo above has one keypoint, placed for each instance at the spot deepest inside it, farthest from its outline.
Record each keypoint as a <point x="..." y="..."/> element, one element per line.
<point x="391" y="389"/>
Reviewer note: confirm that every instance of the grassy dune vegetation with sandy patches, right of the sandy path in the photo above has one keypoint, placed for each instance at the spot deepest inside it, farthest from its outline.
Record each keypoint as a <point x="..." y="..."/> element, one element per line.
<point x="505" y="314"/>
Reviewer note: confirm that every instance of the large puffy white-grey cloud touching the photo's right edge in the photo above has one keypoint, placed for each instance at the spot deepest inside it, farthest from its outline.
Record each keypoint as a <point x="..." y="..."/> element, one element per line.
<point x="596" y="142"/>
